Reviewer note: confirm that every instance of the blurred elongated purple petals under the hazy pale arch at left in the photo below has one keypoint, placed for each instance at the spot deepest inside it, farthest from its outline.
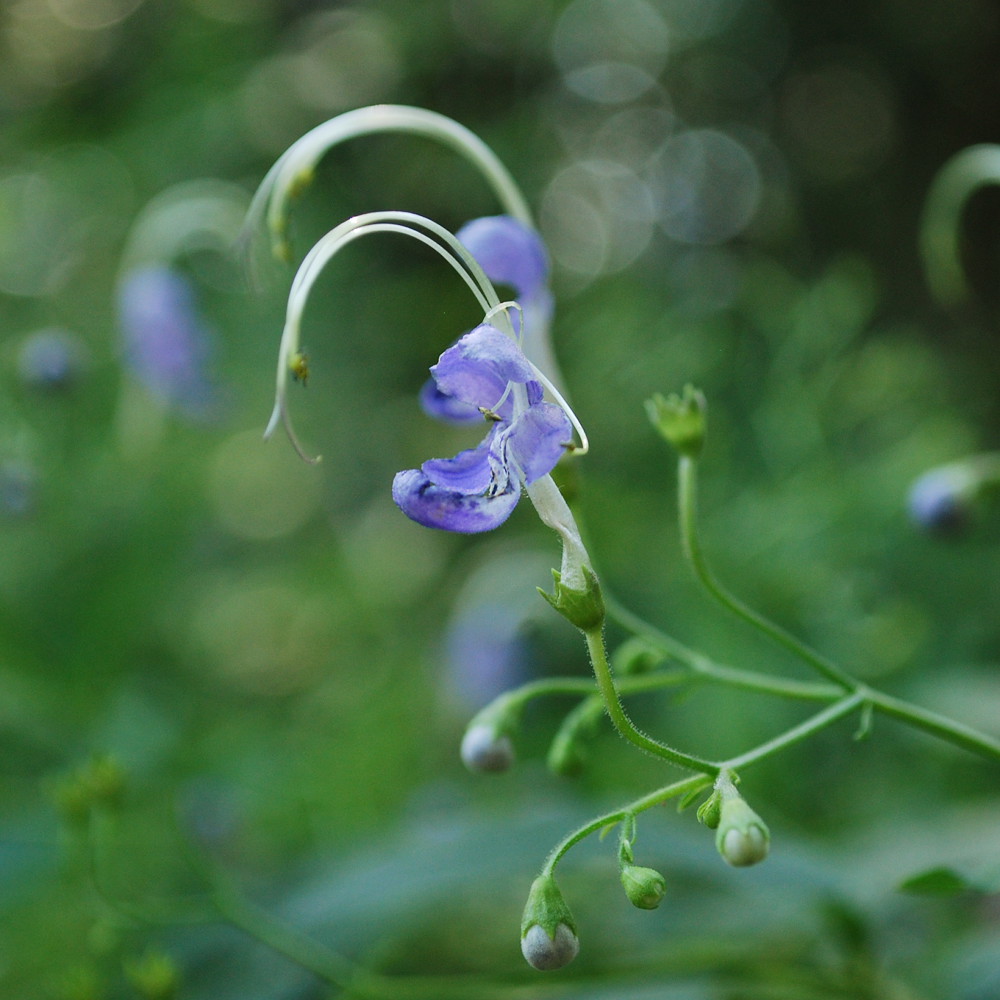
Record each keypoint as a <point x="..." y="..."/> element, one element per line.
<point x="166" y="344"/>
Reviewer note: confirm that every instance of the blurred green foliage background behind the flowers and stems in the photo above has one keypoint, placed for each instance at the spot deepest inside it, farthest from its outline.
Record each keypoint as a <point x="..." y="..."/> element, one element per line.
<point x="259" y="643"/>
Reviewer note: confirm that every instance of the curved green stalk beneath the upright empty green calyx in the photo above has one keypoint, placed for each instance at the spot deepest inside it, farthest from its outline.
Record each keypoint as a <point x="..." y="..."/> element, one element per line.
<point x="688" y="497"/>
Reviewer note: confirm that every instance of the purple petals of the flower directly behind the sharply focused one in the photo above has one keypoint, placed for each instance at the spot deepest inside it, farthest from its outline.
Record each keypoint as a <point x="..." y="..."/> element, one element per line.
<point x="513" y="254"/>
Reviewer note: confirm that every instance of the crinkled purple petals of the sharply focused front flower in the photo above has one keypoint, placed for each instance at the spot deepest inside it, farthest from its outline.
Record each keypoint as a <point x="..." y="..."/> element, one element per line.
<point x="478" y="488"/>
